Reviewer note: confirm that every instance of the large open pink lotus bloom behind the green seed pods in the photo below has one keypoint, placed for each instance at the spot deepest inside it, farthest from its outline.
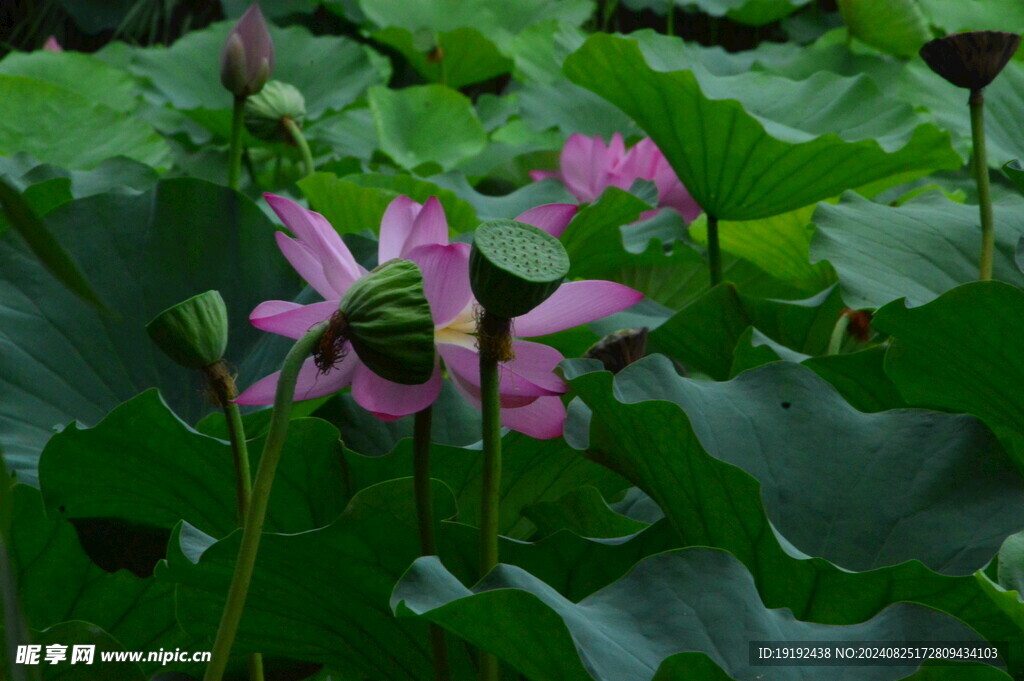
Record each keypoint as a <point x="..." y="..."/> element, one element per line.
<point x="528" y="386"/>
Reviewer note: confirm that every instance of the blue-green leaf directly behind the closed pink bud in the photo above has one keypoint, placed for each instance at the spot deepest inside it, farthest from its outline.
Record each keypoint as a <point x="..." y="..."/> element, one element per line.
<point x="330" y="71"/>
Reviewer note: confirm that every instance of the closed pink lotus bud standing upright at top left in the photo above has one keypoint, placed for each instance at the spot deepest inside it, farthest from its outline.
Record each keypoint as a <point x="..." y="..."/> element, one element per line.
<point x="247" y="59"/>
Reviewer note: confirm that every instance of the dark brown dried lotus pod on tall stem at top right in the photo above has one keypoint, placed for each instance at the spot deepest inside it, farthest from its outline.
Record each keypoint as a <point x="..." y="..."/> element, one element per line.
<point x="971" y="60"/>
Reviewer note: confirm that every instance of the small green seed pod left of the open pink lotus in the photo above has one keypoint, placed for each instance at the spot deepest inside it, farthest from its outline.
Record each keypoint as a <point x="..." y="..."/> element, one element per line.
<point x="193" y="333"/>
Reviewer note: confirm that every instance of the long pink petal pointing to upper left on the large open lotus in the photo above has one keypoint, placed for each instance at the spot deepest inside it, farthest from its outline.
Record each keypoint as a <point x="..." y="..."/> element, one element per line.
<point x="340" y="269"/>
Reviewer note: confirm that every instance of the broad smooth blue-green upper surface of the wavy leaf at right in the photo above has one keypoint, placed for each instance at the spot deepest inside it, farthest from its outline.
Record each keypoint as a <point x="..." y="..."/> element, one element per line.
<point x="925" y="470"/>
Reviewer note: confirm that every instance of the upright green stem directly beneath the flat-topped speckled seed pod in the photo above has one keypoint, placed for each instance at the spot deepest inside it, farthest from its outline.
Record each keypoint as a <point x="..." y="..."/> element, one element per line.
<point x="496" y="332"/>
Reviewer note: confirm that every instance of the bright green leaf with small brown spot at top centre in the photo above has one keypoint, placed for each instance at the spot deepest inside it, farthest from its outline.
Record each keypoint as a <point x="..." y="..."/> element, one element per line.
<point x="465" y="56"/>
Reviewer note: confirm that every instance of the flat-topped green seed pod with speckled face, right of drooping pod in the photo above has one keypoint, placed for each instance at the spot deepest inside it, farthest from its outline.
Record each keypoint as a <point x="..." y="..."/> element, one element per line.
<point x="515" y="268"/>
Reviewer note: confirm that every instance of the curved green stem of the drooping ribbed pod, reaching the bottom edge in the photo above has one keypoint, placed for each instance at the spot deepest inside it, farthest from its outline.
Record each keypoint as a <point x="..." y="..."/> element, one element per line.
<point x="246" y="563"/>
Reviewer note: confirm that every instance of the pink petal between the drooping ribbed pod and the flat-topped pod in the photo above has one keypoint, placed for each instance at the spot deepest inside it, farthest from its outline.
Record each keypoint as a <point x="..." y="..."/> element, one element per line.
<point x="446" y="279"/>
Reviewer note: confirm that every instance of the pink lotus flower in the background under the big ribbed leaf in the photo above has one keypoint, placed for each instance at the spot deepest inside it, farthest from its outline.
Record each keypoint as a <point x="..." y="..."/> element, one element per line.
<point x="589" y="167"/>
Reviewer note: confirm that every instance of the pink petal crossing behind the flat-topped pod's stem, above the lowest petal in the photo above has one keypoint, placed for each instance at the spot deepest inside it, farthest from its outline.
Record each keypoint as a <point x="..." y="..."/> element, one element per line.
<point x="529" y="375"/>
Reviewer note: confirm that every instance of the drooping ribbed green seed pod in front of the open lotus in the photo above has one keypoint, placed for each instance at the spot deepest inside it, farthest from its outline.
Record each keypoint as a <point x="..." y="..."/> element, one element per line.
<point x="390" y="323"/>
